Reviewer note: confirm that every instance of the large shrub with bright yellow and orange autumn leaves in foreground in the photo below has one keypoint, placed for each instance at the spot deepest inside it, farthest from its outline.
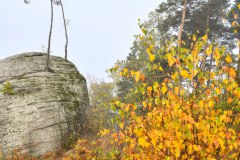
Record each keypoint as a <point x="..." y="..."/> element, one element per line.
<point x="193" y="114"/>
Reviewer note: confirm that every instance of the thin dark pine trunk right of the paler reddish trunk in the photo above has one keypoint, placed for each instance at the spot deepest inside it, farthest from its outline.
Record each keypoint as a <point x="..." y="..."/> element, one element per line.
<point x="207" y="31"/>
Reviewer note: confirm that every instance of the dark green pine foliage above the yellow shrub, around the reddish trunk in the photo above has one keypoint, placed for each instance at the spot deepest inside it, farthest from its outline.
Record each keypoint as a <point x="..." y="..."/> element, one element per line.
<point x="196" y="20"/>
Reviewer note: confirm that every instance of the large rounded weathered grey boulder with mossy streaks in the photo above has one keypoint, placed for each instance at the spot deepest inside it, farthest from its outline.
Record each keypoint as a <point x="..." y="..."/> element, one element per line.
<point x="45" y="108"/>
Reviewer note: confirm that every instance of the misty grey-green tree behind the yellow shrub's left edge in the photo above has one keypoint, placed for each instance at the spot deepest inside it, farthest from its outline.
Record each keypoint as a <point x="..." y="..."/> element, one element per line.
<point x="138" y="59"/>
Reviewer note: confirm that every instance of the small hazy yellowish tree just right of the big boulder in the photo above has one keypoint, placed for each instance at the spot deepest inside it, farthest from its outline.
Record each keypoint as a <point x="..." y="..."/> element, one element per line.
<point x="99" y="113"/>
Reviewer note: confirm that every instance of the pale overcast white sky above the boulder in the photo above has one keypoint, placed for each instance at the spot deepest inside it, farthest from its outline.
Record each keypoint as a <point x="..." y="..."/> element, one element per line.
<point x="100" y="31"/>
